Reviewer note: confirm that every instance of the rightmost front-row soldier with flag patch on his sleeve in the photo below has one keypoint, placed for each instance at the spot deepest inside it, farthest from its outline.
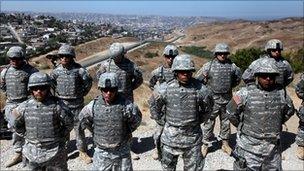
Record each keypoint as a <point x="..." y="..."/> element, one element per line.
<point x="258" y="111"/>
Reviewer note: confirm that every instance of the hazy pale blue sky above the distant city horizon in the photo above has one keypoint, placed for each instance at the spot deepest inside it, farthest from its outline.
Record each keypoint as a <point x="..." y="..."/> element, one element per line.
<point x="229" y="9"/>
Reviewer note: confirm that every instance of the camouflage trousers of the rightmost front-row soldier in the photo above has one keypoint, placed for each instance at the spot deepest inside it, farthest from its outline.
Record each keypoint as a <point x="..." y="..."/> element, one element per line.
<point x="259" y="162"/>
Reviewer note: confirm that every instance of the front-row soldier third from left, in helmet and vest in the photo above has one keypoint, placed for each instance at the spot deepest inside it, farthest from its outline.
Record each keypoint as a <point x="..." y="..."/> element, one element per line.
<point x="187" y="104"/>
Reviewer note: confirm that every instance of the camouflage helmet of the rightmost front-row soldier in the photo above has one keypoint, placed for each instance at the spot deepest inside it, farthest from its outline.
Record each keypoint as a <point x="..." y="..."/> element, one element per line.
<point x="266" y="66"/>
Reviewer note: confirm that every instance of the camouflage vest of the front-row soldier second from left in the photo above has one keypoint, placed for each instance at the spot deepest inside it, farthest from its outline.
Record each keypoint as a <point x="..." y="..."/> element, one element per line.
<point x="110" y="129"/>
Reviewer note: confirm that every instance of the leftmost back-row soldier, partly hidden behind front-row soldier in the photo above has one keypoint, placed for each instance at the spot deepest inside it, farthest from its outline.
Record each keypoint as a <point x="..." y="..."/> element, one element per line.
<point x="14" y="79"/>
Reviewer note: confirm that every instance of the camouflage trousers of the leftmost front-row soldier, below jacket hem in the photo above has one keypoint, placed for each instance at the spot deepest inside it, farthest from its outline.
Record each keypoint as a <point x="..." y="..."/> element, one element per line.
<point x="57" y="163"/>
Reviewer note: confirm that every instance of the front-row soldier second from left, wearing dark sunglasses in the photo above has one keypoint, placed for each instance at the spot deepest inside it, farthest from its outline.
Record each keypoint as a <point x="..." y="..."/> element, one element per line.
<point x="112" y="118"/>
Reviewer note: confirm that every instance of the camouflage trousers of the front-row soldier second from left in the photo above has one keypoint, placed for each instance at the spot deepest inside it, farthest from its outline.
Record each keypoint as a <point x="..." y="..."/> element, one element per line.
<point x="112" y="160"/>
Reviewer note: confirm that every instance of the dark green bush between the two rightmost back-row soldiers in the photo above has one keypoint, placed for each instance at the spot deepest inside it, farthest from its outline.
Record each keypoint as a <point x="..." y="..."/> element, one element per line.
<point x="243" y="57"/>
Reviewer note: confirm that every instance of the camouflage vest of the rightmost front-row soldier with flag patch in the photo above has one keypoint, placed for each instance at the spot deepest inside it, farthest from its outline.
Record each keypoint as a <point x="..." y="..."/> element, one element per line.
<point x="263" y="115"/>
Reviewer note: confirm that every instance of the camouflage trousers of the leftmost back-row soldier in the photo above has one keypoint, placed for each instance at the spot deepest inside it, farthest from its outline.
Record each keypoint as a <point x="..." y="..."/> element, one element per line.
<point x="18" y="140"/>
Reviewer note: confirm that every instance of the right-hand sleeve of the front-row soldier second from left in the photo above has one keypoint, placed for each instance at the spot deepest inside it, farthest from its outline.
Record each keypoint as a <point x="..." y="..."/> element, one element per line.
<point x="133" y="116"/>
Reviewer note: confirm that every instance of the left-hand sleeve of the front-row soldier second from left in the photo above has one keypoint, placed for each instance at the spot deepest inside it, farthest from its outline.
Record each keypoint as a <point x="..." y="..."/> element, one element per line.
<point x="86" y="117"/>
